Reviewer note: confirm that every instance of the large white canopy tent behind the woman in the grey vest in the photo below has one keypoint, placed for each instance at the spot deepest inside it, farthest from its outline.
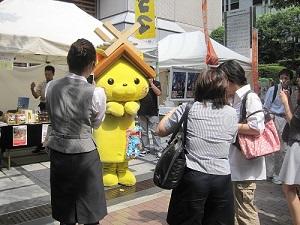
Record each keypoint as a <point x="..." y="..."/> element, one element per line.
<point x="39" y="31"/>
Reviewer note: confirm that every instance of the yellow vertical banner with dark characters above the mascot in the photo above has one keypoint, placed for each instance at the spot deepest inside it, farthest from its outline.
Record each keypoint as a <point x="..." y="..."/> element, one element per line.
<point x="145" y="15"/>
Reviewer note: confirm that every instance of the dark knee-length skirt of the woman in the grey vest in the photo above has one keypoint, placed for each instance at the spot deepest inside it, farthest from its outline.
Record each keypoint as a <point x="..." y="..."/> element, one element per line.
<point x="77" y="191"/>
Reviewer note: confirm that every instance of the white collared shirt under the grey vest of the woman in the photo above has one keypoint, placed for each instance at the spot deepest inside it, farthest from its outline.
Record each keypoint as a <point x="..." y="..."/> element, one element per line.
<point x="98" y="101"/>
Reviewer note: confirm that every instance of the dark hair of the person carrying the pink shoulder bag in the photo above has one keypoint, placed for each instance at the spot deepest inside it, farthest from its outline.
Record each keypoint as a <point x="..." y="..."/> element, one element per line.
<point x="234" y="72"/>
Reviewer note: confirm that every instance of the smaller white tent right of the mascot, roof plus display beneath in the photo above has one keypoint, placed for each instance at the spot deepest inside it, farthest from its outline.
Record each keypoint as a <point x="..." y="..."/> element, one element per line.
<point x="186" y="52"/>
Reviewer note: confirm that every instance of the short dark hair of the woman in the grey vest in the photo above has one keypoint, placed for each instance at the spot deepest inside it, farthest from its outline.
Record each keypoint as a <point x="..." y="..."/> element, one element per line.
<point x="81" y="54"/>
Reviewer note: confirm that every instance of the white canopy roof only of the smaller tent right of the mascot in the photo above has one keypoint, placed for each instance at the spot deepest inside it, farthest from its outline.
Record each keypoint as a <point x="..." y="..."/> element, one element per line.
<point x="189" y="50"/>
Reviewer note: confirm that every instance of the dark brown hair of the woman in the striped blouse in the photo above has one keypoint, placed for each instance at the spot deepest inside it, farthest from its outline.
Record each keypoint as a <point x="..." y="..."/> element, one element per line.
<point x="211" y="86"/>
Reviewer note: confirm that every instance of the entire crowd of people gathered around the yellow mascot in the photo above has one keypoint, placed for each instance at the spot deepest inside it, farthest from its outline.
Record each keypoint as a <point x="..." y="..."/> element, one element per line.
<point x="219" y="183"/>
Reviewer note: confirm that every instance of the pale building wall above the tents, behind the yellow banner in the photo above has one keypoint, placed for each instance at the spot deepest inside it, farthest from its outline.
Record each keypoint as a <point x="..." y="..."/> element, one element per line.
<point x="173" y="16"/>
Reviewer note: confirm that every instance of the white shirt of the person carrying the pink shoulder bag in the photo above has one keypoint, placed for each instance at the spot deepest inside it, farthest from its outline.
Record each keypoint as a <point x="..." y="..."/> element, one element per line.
<point x="241" y="168"/>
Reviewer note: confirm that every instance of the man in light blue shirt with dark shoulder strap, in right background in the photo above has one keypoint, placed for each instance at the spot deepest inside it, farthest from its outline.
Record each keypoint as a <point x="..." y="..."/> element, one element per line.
<point x="275" y="106"/>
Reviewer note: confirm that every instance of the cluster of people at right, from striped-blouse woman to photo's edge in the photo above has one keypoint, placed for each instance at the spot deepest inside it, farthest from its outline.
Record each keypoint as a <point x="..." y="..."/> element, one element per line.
<point x="219" y="183"/>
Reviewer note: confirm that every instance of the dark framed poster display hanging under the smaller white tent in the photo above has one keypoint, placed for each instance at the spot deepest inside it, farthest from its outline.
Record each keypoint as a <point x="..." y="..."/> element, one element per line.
<point x="183" y="82"/>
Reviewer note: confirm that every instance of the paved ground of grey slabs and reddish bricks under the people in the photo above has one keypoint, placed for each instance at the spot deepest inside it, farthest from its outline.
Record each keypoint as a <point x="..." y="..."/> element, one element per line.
<point x="26" y="188"/>
